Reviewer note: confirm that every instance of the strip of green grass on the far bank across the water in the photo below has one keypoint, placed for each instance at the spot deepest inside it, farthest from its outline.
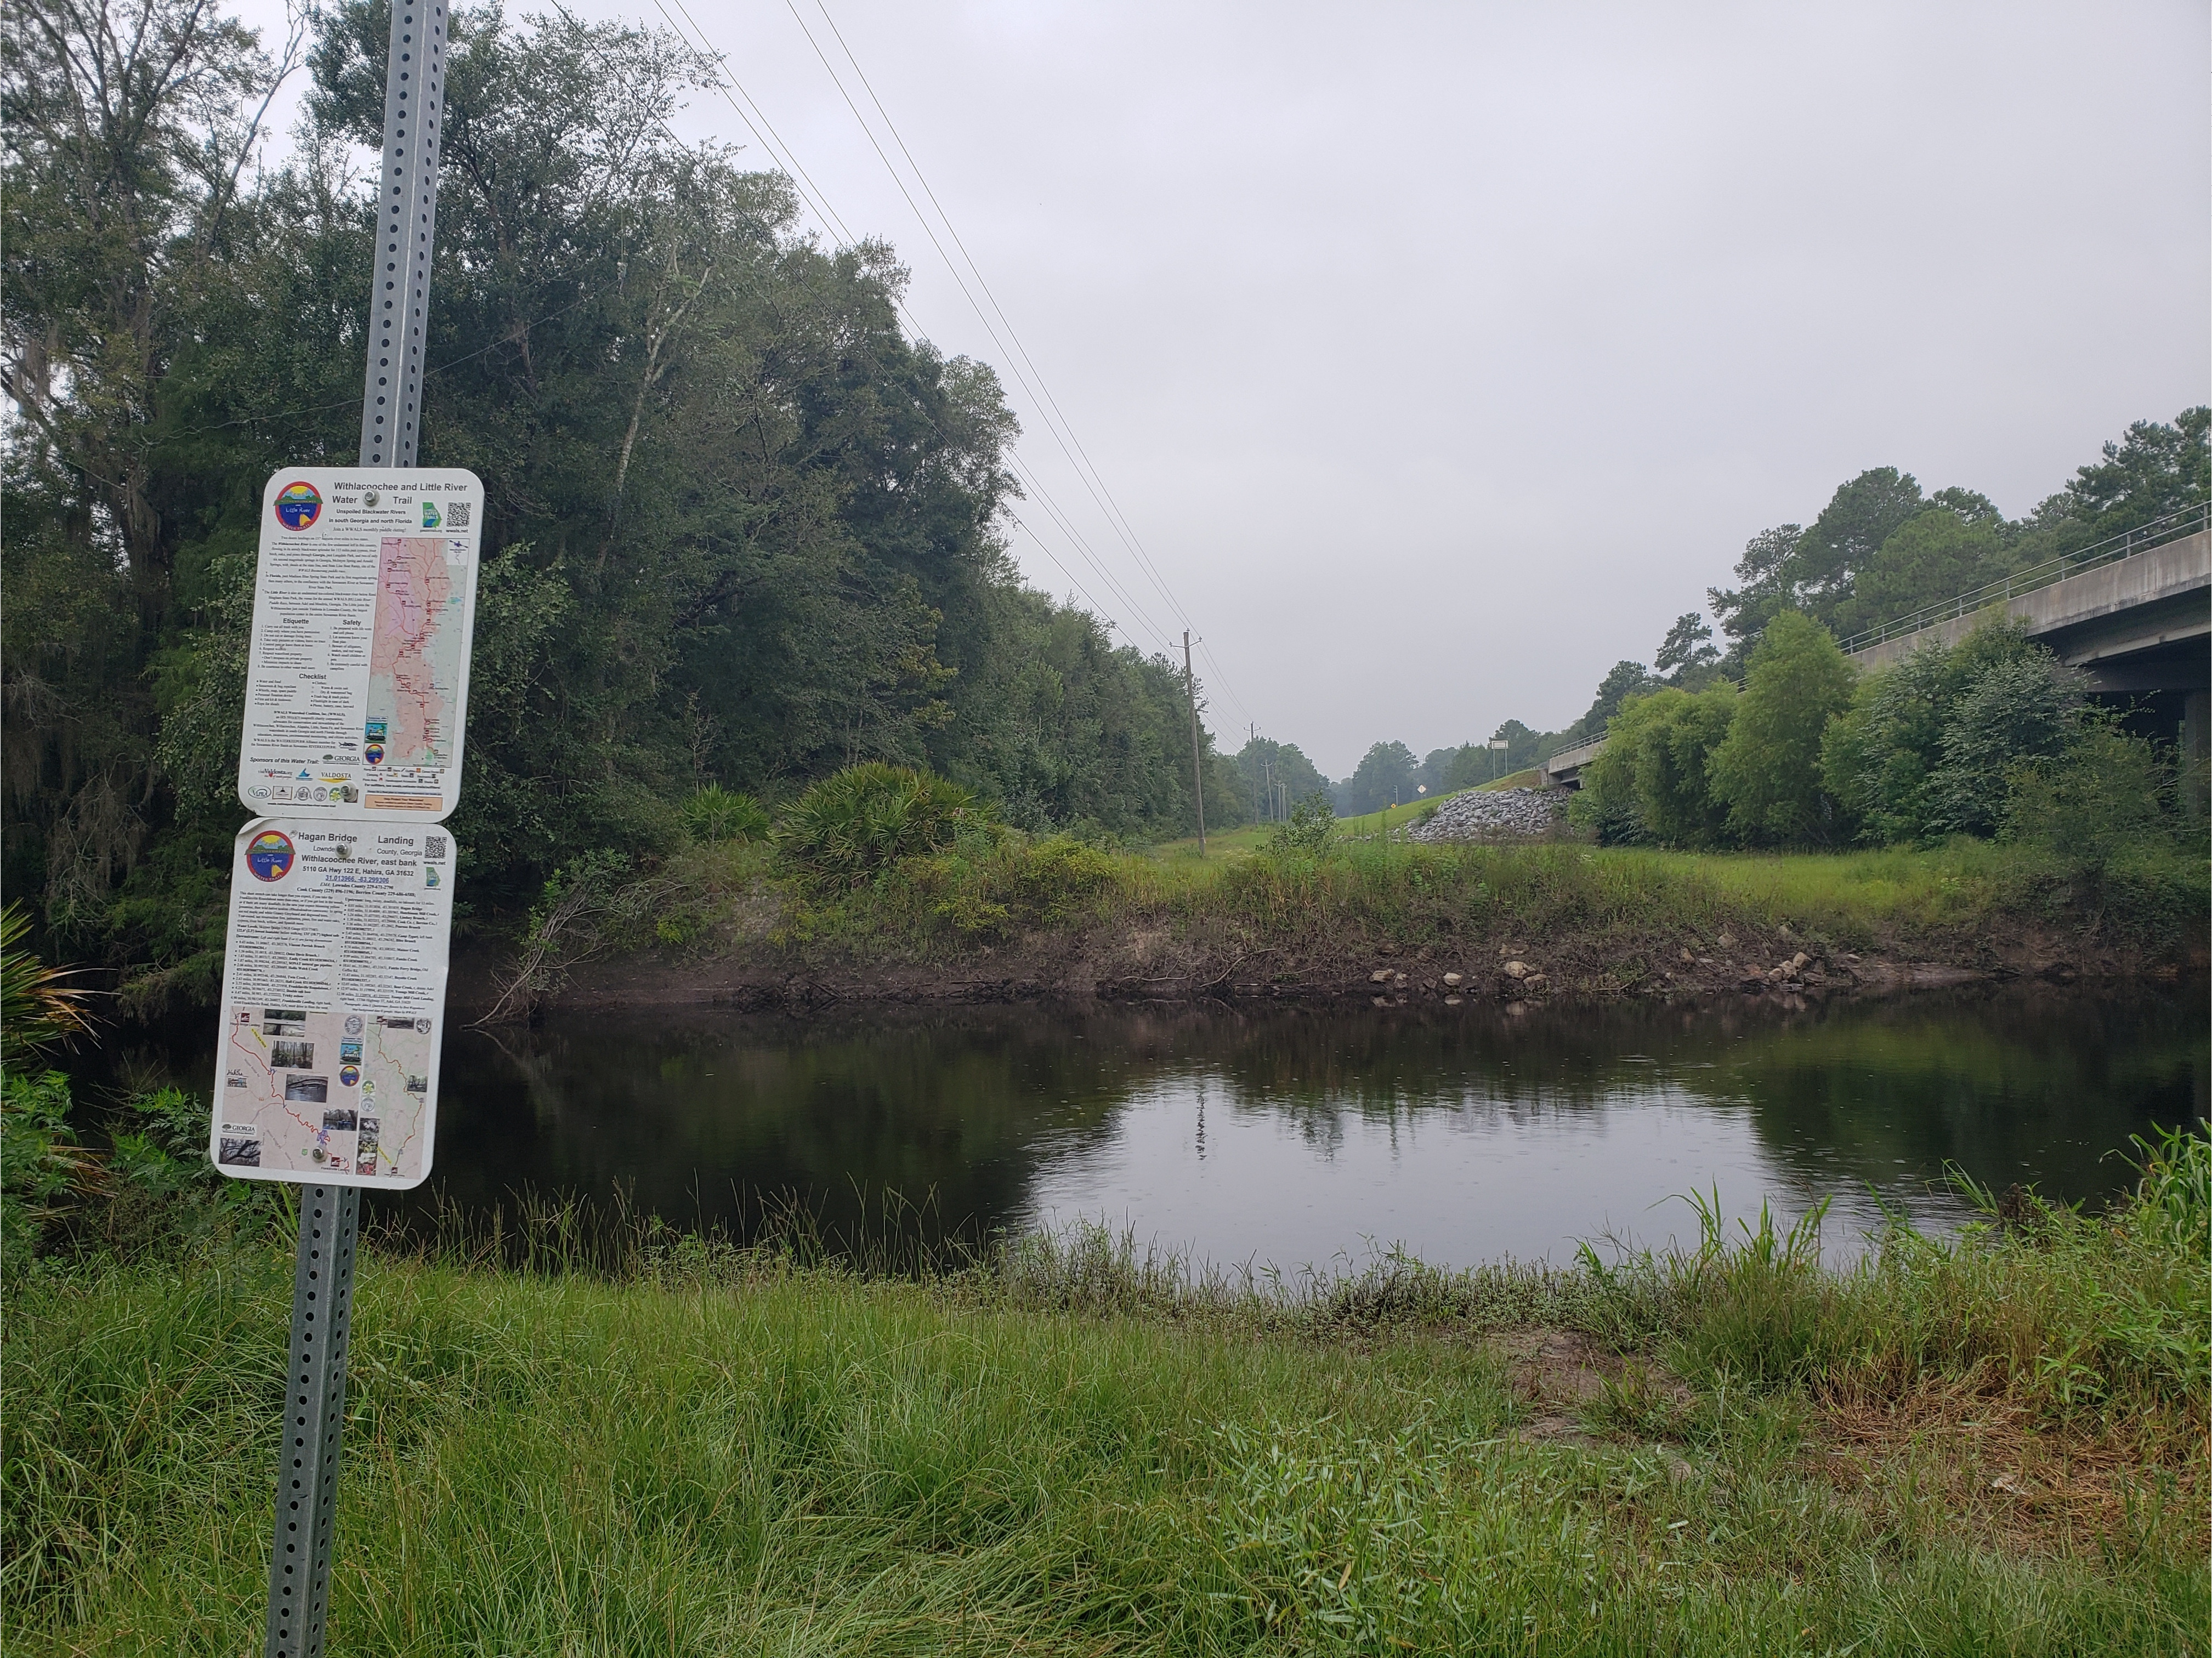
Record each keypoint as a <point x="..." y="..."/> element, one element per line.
<point x="1611" y="916"/>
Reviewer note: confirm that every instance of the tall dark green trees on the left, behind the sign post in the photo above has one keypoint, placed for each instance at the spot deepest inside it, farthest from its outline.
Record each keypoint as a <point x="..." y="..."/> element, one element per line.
<point x="742" y="529"/>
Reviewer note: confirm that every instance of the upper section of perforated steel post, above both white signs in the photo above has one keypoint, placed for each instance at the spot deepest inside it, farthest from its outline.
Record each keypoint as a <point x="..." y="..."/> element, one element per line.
<point x="406" y="222"/>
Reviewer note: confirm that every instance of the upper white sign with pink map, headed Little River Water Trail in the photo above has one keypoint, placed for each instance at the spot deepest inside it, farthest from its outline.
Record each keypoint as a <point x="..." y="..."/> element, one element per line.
<point x="357" y="678"/>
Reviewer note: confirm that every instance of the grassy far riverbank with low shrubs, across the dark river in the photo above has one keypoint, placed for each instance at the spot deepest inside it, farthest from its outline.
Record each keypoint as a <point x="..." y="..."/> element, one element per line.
<point x="1596" y="921"/>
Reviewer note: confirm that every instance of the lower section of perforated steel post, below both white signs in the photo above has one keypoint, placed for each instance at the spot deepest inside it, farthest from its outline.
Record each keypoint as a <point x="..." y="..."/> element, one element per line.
<point x="315" y="1412"/>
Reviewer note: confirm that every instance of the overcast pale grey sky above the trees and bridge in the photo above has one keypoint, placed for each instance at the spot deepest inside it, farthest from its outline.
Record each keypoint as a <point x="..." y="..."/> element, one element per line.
<point x="1441" y="355"/>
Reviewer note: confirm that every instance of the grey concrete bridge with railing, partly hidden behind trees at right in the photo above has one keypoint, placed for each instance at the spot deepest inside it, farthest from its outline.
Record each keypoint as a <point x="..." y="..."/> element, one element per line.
<point x="2133" y="616"/>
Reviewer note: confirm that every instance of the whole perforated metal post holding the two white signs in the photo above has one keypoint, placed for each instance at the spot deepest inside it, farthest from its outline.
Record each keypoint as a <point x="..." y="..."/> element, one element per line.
<point x="331" y="1215"/>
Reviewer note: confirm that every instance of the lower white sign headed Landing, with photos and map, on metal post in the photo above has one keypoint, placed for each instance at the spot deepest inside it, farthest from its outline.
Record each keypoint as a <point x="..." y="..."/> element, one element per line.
<point x="333" y="1003"/>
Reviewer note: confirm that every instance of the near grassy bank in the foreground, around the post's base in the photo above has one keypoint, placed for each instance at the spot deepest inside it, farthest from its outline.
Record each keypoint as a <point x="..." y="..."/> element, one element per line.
<point x="1994" y="1445"/>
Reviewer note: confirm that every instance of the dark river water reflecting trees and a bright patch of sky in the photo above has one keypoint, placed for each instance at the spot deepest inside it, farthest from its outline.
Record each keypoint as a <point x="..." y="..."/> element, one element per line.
<point x="1297" y="1137"/>
